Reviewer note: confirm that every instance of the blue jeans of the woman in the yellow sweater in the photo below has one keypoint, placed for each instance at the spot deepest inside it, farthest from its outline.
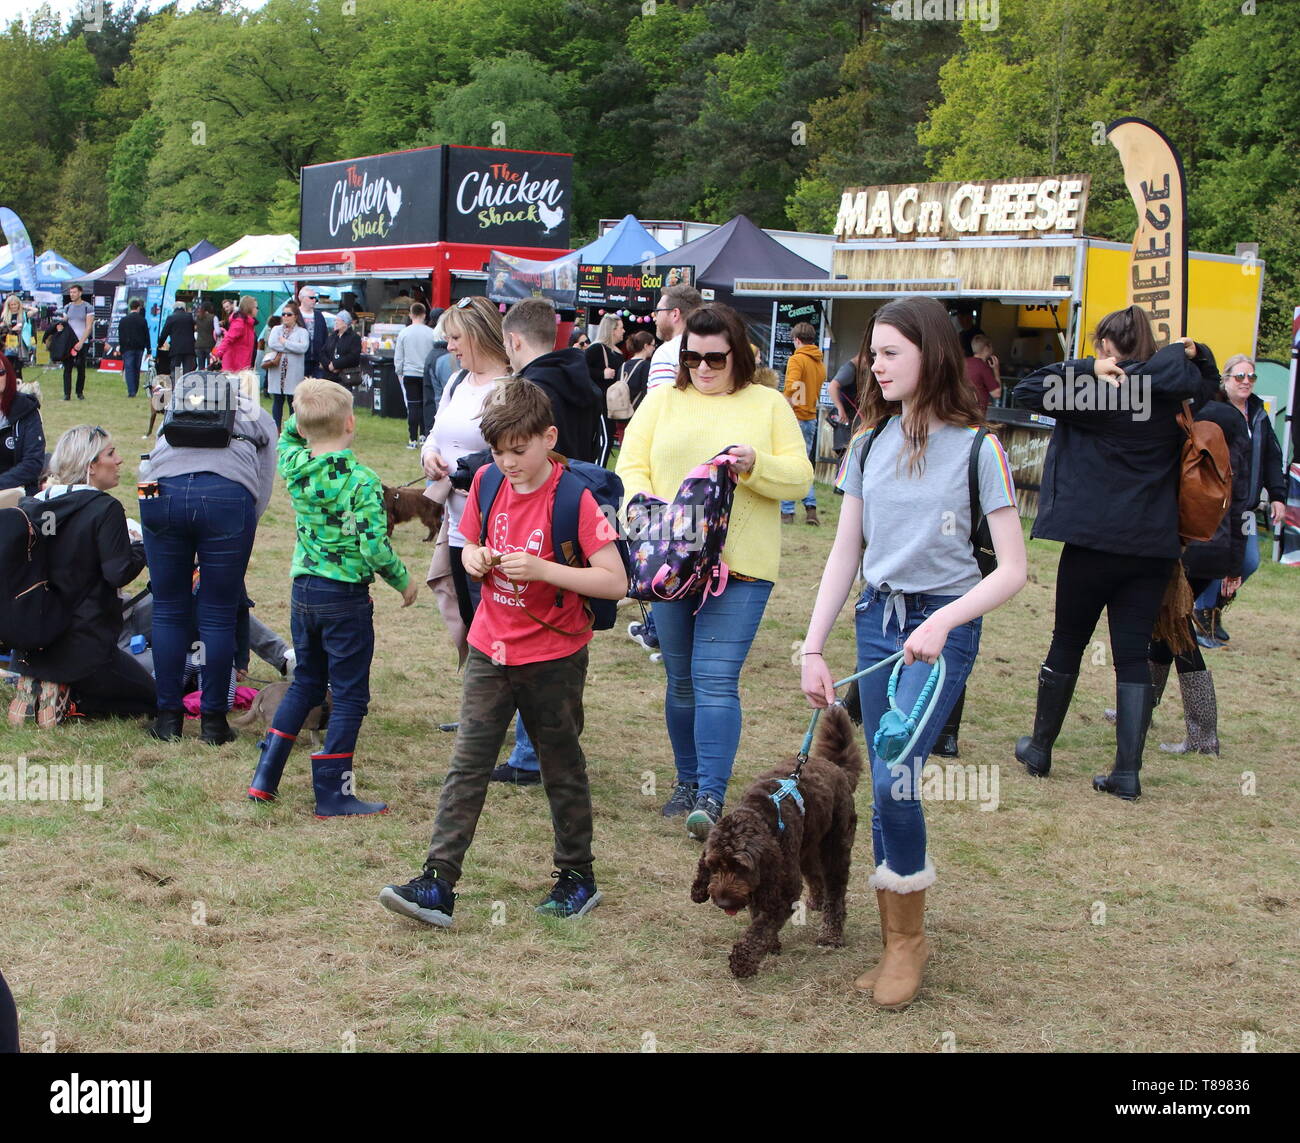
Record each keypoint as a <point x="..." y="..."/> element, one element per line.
<point x="703" y="656"/>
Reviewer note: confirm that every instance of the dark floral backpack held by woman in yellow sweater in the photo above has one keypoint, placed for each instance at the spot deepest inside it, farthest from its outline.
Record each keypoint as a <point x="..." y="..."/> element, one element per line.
<point x="678" y="548"/>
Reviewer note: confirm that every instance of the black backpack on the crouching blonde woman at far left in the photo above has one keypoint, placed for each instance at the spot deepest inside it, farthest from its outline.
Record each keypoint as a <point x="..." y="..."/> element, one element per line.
<point x="33" y="613"/>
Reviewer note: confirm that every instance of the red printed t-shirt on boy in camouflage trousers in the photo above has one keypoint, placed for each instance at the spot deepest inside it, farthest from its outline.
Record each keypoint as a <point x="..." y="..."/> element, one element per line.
<point x="522" y="522"/>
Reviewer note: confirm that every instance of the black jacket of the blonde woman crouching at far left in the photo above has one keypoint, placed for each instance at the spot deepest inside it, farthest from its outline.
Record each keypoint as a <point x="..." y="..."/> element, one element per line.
<point x="93" y="556"/>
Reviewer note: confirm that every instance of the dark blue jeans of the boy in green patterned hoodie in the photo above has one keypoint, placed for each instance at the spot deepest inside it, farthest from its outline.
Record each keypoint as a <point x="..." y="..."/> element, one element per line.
<point x="333" y="626"/>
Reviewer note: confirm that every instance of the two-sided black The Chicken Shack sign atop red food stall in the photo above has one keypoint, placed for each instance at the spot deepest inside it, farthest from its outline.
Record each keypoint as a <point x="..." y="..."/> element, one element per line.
<point x="439" y="194"/>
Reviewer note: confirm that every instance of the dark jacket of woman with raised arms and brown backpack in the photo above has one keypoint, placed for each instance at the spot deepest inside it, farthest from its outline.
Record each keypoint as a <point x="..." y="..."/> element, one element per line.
<point x="1111" y="475"/>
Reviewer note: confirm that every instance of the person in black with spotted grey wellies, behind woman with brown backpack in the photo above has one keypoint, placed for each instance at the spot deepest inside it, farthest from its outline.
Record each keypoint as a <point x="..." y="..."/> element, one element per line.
<point x="1206" y="562"/>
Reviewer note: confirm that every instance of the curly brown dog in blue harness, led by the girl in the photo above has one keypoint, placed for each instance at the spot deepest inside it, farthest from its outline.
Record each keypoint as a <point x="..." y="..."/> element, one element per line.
<point x="751" y="861"/>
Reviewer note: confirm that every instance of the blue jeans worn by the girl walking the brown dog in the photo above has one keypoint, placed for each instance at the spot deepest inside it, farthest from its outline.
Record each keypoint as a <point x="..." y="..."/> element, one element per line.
<point x="898" y="822"/>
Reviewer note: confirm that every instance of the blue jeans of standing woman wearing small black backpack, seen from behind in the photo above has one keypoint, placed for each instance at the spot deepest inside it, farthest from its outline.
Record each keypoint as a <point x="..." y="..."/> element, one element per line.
<point x="209" y="519"/>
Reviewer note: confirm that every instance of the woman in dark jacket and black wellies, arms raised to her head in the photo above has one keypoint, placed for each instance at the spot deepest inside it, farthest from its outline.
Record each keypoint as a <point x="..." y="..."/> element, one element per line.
<point x="1111" y="493"/>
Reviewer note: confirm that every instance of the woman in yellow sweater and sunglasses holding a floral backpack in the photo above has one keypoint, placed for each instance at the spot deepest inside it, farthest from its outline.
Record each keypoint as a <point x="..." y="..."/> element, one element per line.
<point x="714" y="408"/>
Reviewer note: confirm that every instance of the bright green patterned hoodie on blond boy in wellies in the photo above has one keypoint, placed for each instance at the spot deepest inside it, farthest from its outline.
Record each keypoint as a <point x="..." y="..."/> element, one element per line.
<point x="339" y="503"/>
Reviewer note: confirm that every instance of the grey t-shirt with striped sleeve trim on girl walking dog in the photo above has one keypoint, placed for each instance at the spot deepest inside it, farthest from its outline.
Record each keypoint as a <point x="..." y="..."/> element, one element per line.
<point x="918" y="527"/>
